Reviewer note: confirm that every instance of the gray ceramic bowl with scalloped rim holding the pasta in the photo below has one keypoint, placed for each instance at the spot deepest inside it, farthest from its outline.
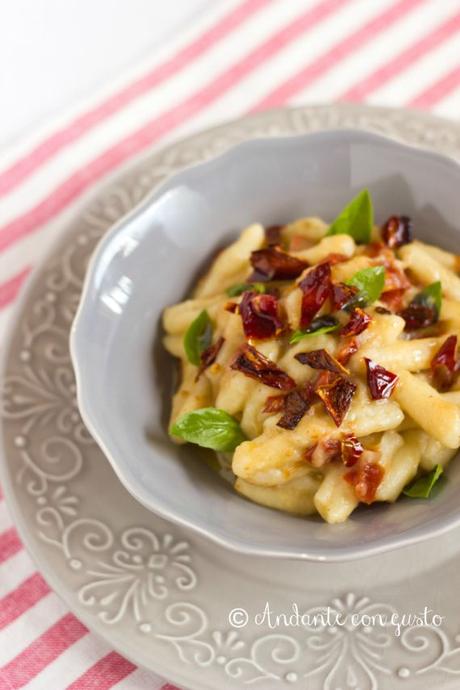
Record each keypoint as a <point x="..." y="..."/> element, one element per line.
<point x="152" y="257"/>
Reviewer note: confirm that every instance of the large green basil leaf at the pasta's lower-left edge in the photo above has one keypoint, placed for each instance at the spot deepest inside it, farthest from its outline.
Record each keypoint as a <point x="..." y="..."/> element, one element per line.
<point x="209" y="427"/>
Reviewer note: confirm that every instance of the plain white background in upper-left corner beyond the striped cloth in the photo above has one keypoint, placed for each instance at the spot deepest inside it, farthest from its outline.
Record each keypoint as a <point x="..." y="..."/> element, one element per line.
<point x="54" y="52"/>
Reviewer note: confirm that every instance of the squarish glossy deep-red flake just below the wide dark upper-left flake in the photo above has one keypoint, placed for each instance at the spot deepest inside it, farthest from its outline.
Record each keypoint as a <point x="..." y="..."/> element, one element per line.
<point x="260" y="315"/>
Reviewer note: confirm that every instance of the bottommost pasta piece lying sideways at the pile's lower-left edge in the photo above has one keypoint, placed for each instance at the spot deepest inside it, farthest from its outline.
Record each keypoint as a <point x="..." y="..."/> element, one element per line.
<point x="295" y="496"/>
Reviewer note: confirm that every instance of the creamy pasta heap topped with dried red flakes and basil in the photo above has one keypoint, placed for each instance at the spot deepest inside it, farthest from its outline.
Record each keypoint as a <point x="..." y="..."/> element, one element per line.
<point x="321" y="358"/>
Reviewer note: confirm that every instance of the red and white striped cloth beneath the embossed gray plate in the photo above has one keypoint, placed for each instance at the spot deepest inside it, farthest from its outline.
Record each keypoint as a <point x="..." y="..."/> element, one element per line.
<point x="243" y="56"/>
